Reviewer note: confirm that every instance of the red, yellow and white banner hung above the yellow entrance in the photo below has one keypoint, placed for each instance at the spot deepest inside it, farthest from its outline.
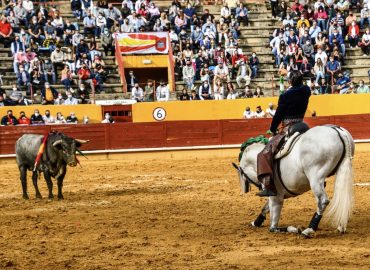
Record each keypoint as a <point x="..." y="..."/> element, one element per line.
<point x="143" y="43"/>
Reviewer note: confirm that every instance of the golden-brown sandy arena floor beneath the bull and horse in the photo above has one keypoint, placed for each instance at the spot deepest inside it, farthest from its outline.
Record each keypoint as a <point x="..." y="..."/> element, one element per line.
<point x="169" y="214"/>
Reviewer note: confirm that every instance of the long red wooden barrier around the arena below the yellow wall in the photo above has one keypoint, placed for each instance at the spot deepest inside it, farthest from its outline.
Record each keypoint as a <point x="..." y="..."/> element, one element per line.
<point x="174" y="133"/>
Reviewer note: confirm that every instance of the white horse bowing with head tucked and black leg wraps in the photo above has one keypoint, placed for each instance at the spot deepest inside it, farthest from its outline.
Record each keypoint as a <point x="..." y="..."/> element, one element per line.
<point x="320" y="152"/>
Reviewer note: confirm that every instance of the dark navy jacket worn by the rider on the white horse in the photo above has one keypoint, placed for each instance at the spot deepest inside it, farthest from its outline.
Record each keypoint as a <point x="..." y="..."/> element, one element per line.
<point x="292" y="105"/>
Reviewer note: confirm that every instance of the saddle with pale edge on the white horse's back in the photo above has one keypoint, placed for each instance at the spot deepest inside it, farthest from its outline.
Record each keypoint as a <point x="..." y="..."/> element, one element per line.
<point x="294" y="133"/>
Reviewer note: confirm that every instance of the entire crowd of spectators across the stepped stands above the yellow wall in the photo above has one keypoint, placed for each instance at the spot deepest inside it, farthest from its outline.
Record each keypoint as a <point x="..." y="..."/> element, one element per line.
<point x="48" y="49"/>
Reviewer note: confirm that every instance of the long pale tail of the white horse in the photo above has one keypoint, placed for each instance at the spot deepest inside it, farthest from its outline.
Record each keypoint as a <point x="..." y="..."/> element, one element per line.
<point x="341" y="205"/>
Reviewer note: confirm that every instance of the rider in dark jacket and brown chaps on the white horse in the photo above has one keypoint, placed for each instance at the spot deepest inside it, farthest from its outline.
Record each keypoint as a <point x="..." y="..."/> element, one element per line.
<point x="292" y="106"/>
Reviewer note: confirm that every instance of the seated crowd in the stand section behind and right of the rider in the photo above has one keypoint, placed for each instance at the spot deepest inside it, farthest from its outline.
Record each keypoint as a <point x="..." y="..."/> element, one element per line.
<point x="312" y="38"/>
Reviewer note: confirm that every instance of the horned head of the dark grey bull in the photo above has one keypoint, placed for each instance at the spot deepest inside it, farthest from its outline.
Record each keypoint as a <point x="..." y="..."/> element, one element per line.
<point x="69" y="146"/>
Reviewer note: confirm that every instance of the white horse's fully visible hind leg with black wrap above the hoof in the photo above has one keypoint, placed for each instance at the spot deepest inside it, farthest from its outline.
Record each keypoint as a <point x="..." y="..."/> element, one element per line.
<point x="322" y="200"/>
